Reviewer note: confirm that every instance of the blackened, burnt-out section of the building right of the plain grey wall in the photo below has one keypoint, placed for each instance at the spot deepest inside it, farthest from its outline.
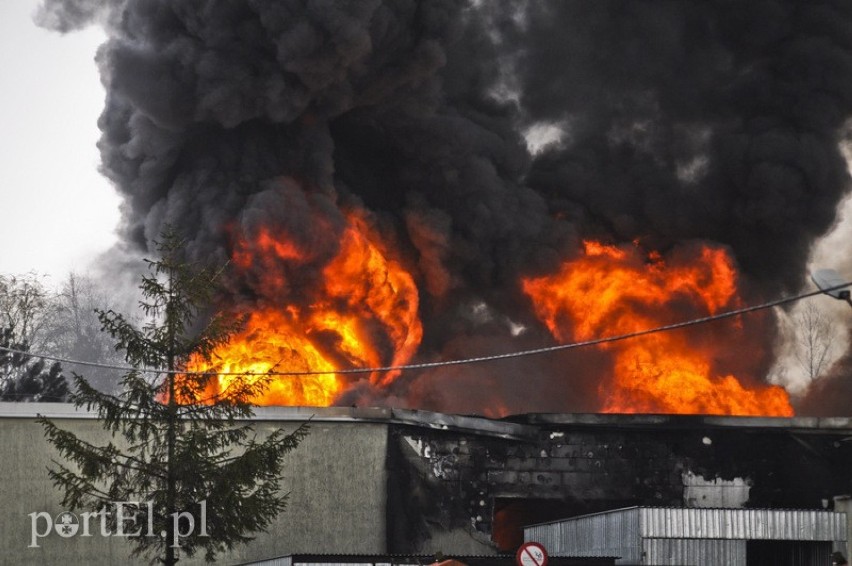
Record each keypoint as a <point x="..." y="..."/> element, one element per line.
<point x="484" y="489"/>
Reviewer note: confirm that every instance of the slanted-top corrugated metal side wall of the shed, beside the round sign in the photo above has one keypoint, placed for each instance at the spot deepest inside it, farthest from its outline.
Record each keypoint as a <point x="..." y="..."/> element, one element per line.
<point x="615" y="533"/>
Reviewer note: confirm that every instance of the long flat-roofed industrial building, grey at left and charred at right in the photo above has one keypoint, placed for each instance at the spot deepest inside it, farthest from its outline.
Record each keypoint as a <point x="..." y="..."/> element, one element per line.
<point x="383" y="482"/>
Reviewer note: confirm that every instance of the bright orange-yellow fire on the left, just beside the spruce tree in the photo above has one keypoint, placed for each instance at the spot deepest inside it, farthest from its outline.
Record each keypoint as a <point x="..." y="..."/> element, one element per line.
<point x="362" y="313"/>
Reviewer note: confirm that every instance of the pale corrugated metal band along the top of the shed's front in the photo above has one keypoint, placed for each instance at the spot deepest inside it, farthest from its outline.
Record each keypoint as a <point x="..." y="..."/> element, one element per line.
<point x="757" y="524"/>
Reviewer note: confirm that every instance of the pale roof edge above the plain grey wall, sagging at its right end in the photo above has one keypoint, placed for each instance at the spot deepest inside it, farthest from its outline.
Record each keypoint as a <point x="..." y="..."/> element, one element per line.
<point x="423" y="419"/>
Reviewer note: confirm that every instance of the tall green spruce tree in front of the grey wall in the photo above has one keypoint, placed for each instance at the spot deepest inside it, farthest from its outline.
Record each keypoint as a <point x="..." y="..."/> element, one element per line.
<point x="174" y="448"/>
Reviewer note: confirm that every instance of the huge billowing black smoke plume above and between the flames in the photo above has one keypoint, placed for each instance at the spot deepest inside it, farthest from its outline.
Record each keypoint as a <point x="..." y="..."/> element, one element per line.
<point x="675" y="121"/>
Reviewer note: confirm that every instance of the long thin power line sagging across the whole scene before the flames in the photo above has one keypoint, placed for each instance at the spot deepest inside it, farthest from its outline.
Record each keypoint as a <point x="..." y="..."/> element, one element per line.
<point x="462" y="361"/>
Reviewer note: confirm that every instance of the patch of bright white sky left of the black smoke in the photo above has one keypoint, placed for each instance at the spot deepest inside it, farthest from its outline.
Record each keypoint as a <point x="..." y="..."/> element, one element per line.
<point x="56" y="210"/>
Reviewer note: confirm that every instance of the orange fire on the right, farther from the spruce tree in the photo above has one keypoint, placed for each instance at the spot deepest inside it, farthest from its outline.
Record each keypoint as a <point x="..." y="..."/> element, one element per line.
<point x="612" y="290"/>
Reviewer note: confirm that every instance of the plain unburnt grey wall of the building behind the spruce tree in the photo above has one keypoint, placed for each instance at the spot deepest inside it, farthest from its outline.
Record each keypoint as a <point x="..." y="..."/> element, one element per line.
<point x="336" y="479"/>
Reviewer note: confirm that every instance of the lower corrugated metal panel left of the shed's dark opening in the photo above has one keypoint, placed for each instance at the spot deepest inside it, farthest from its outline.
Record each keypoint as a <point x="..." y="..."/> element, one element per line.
<point x="693" y="552"/>
